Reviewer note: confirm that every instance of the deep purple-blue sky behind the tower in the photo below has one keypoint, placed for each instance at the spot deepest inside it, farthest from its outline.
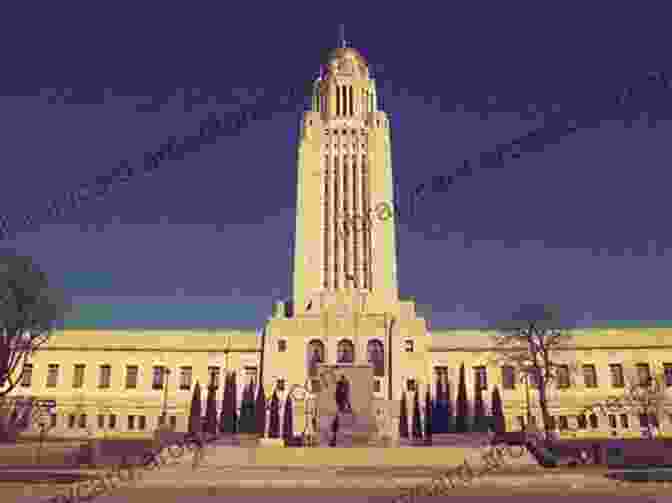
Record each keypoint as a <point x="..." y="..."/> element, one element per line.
<point x="573" y="213"/>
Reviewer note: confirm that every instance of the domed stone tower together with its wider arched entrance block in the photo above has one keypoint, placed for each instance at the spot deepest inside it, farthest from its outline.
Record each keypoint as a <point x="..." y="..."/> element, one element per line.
<point x="345" y="314"/>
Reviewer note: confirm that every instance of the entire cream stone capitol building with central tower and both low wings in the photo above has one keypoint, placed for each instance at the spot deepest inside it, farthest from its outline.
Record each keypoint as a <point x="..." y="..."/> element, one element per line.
<point x="345" y="311"/>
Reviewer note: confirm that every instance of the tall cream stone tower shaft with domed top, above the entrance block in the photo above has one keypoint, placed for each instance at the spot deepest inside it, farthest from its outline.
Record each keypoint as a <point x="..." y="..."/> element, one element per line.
<point x="345" y="247"/>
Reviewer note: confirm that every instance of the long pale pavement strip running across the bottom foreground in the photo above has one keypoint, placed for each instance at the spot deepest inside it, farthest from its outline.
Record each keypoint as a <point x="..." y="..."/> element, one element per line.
<point x="342" y="477"/>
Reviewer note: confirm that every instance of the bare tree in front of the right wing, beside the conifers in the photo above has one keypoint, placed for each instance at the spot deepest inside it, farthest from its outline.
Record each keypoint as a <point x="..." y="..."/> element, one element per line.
<point x="529" y="341"/>
